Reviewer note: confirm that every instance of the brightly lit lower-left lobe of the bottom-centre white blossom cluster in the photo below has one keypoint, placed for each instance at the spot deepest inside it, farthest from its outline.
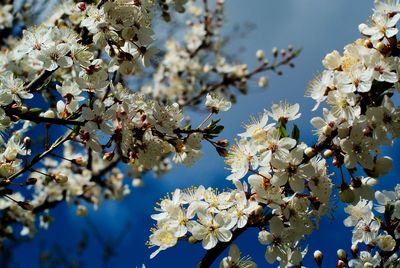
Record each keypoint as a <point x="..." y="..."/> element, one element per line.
<point x="201" y="214"/>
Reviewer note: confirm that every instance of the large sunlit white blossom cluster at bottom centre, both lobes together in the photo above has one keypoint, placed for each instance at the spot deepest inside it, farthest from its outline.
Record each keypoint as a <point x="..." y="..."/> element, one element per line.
<point x="288" y="191"/>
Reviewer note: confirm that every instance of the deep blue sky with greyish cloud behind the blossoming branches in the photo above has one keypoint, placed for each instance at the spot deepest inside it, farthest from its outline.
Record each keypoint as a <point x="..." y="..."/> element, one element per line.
<point x="317" y="26"/>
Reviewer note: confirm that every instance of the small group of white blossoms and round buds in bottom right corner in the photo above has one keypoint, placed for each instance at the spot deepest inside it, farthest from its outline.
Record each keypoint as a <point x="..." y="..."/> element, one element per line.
<point x="378" y="232"/>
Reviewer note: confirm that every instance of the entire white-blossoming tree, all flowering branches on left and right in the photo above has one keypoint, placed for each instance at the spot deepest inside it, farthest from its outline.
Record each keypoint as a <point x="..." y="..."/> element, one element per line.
<point x="107" y="103"/>
